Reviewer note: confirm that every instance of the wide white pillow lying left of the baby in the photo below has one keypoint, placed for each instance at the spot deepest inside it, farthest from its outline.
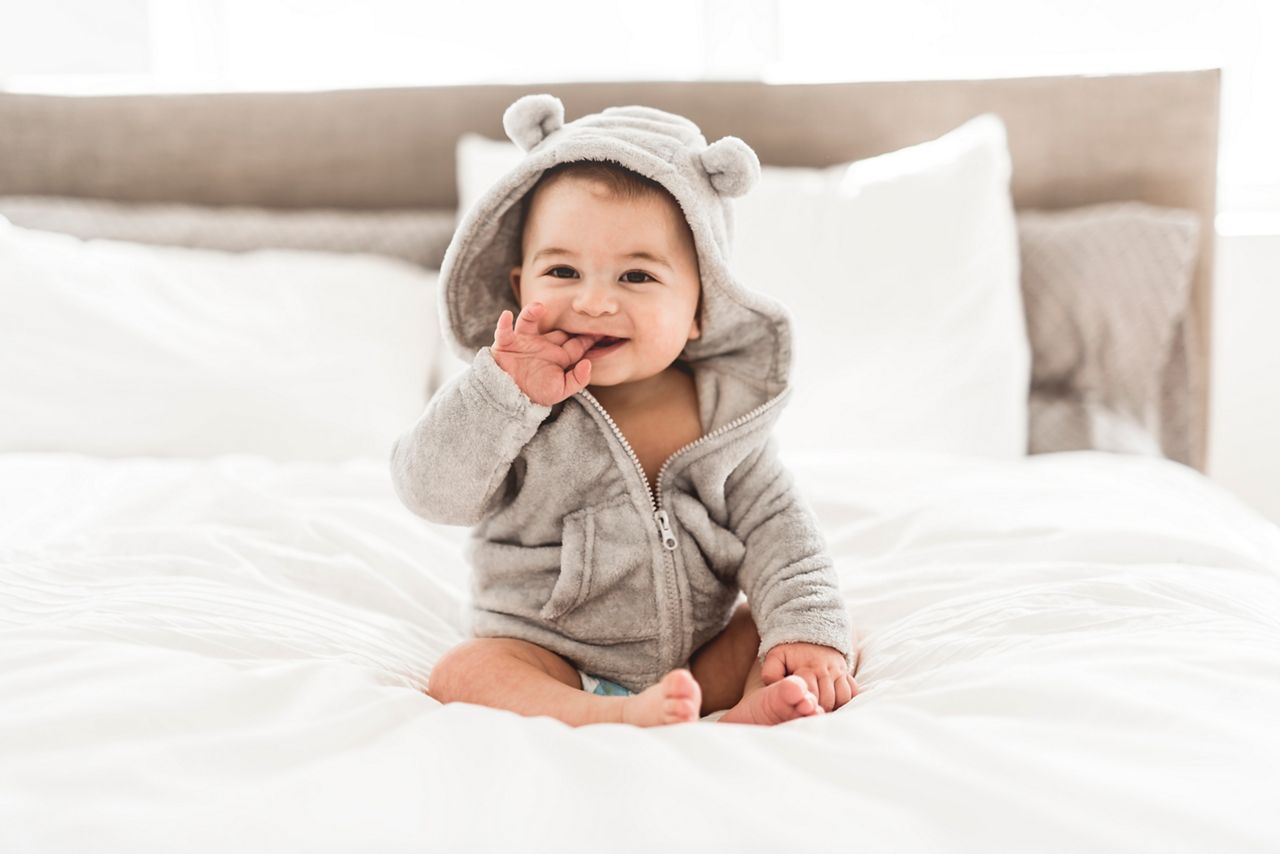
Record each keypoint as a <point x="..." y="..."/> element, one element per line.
<point x="120" y="349"/>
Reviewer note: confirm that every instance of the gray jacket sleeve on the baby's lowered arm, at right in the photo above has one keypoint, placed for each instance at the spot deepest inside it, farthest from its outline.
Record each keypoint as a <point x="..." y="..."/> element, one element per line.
<point x="787" y="573"/>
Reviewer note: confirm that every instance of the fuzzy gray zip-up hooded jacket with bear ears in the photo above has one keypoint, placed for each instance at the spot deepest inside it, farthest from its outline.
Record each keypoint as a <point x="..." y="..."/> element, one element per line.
<point x="569" y="549"/>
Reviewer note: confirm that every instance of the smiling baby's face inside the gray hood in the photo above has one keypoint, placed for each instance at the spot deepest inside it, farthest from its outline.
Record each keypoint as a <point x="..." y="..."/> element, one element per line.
<point x="611" y="267"/>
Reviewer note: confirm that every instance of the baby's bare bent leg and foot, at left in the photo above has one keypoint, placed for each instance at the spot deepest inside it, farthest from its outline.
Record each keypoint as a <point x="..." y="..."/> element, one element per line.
<point x="527" y="679"/>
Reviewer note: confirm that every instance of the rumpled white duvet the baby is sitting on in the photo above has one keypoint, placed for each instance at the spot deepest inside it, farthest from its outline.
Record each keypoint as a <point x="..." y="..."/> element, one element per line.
<point x="1073" y="652"/>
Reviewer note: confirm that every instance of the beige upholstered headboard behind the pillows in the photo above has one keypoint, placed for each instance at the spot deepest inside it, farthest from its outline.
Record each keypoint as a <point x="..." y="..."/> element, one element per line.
<point x="1075" y="141"/>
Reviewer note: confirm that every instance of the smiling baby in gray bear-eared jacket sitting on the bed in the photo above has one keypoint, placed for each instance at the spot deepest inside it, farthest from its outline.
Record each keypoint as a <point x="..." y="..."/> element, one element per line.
<point x="610" y="442"/>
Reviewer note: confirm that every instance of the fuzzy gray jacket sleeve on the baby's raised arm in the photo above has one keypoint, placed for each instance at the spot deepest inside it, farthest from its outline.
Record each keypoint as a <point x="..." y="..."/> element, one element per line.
<point x="451" y="465"/>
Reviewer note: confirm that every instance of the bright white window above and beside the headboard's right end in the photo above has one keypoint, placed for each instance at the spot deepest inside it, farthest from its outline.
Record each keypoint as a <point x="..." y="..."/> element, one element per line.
<point x="929" y="39"/>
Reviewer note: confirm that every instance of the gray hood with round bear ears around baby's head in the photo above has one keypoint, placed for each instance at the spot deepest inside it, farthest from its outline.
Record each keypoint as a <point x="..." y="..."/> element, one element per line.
<point x="746" y="336"/>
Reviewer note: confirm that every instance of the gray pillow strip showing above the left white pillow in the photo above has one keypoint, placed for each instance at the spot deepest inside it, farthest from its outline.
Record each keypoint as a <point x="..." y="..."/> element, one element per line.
<point x="417" y="236"/>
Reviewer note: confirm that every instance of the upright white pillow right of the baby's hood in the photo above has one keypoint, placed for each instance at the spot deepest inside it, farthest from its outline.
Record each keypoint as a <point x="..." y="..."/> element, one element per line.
<point x="902" y="273"/>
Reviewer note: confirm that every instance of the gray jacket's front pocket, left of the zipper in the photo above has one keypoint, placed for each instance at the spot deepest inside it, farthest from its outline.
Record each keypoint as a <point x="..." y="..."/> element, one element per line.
<point x="605" y="592"/>
